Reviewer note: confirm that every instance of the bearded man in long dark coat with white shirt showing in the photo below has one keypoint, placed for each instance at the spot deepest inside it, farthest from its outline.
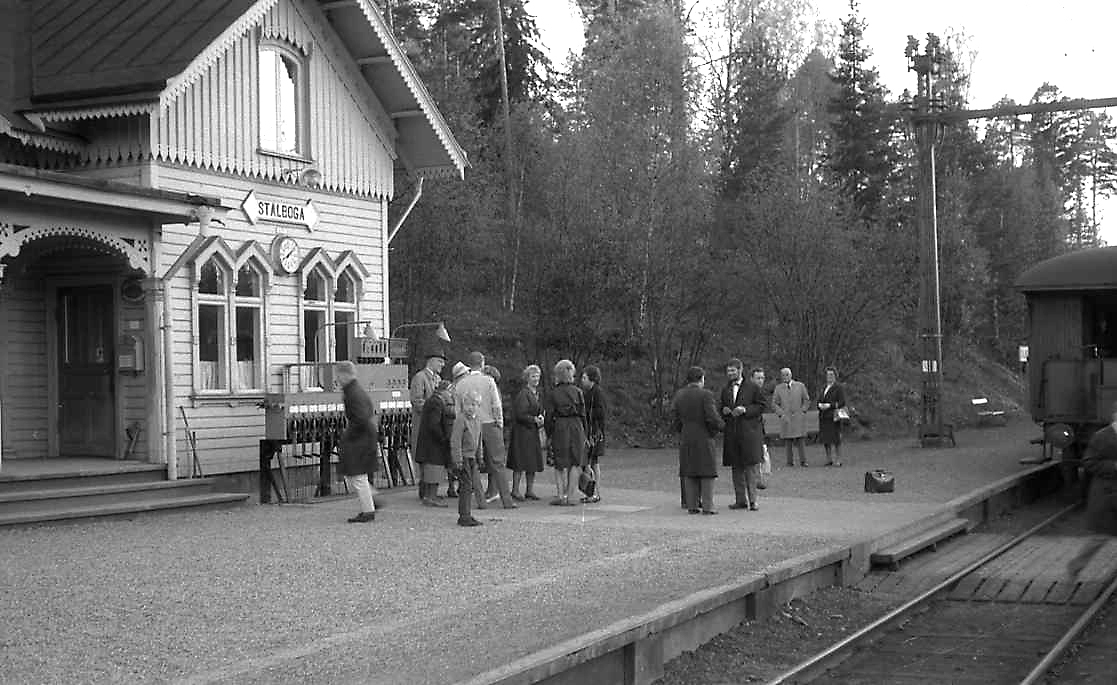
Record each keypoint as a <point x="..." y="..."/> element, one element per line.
<point x="742" y="405"/>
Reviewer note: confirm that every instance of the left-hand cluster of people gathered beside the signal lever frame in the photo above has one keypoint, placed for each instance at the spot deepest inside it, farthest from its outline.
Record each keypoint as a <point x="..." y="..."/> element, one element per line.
<point x="460" y="430"/>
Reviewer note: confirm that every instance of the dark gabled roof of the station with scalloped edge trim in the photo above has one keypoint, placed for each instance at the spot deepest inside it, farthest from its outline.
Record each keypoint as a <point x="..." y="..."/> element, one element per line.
<point x="101" y="54"/>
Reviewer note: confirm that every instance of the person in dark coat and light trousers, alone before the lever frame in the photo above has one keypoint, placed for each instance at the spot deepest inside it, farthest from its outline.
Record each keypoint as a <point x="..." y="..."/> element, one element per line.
<point x="360" y="445"/>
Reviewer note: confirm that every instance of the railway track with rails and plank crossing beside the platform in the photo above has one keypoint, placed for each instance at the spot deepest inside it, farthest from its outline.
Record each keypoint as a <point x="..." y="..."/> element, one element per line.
<point x="1008" y="617"/>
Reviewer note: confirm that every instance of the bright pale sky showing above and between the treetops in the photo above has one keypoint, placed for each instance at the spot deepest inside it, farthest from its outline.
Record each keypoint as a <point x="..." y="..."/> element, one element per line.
<point x="1017" y="46"/>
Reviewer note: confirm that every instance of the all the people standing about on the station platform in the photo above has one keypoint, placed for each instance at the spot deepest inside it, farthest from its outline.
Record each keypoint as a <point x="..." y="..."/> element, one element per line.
<point x="461" y="427"/>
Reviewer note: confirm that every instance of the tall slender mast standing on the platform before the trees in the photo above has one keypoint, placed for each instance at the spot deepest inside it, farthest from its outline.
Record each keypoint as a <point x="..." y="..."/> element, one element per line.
<point x="928" y="130"/>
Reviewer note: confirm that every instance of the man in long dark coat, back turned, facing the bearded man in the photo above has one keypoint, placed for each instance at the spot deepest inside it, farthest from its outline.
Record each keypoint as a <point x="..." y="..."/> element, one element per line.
<point x="696" y="421"/>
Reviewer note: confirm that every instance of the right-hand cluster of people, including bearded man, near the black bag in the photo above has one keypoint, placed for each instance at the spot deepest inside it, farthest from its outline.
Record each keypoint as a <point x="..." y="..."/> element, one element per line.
<point x="739" y="415"/>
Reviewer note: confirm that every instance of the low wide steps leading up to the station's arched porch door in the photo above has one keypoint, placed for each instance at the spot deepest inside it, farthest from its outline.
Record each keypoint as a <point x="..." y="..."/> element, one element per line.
<point x="73" y="496"/>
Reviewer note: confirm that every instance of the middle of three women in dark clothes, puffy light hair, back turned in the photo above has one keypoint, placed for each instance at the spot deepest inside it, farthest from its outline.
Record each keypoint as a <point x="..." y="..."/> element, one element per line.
<point x="565" y="421"/>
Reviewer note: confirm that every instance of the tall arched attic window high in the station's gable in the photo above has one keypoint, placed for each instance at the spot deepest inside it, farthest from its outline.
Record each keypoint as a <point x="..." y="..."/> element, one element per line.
<point x="282" y="93"/>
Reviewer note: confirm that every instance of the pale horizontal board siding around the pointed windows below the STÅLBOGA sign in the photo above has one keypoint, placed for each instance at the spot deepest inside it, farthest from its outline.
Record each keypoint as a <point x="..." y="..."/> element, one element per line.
<point x="230" y="431"/>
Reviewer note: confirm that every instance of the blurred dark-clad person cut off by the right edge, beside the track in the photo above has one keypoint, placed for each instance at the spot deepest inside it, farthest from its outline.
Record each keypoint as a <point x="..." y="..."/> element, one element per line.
<point x="1101" y="463"/>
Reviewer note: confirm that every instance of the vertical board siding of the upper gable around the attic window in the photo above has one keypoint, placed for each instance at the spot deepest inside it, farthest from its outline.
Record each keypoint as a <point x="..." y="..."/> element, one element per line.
<point x="214" y="122"/>
